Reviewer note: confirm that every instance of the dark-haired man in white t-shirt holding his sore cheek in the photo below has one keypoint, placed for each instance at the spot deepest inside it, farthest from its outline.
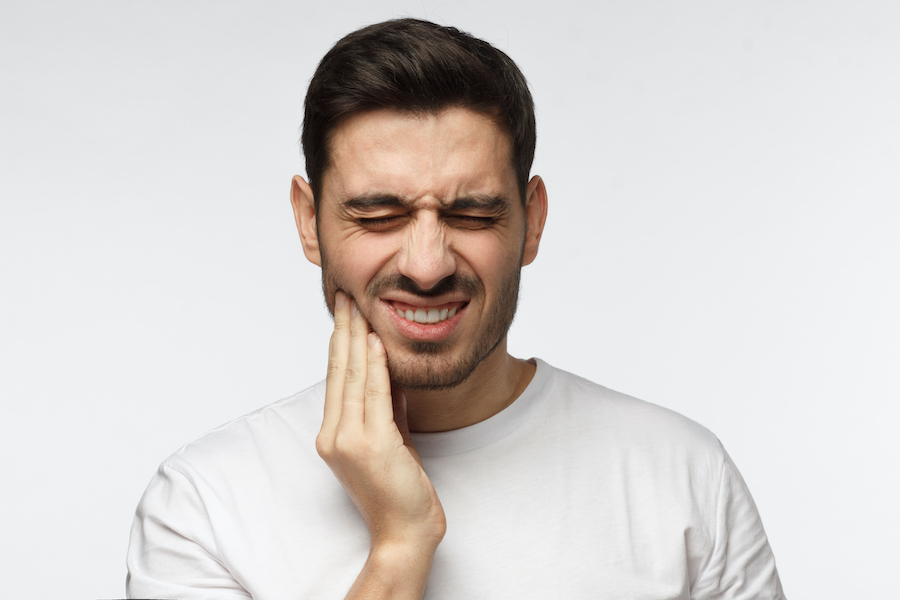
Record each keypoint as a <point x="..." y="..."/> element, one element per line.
<point x="453" y="469"/>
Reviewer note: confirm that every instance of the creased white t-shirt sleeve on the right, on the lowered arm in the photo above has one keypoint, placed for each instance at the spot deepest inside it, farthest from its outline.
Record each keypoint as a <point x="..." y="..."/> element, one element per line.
<point x="741" y="565"/>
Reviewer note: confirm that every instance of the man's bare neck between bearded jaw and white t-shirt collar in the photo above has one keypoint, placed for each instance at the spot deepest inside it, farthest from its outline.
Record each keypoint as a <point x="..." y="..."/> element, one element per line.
<point x="494" y="384"/>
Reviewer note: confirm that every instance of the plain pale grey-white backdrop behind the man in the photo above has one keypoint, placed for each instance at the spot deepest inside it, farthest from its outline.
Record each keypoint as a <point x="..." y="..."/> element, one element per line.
<point x="722" y="240"/>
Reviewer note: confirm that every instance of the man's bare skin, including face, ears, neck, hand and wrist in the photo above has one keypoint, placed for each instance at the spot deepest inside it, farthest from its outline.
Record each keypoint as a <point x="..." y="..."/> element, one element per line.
<point x="417" y="212"/>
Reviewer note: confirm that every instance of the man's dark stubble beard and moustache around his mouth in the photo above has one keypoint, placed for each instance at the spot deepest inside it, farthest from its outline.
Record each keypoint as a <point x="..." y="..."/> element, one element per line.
<point x="429" y="365"/>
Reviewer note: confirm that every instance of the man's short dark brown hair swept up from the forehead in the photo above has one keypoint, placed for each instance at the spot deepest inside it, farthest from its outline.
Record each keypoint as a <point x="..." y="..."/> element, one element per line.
<point x="420" y="67"/>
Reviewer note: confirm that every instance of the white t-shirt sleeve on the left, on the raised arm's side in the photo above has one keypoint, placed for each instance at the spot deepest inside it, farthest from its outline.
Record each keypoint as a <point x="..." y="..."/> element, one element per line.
<point x="173" y="550"/>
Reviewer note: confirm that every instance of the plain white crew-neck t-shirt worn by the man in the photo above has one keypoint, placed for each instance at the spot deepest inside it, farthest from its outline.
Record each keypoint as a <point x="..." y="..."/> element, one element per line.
<point x="573" y="491"/>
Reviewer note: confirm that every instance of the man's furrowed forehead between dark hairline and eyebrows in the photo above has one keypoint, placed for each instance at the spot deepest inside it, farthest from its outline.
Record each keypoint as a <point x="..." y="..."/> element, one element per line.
<point x="444" y="155"/>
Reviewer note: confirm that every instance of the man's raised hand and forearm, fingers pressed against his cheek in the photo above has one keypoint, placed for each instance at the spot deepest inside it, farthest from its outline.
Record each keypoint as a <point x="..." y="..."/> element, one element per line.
<point x="365" y="441"/>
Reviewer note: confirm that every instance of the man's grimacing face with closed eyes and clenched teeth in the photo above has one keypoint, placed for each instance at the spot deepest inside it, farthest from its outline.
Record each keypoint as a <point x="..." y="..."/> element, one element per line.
<point x="421" y="222"/>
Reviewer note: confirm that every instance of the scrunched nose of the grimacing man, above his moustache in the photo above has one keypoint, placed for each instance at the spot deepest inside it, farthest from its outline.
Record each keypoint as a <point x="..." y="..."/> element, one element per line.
<point x="426" y="257"/>
